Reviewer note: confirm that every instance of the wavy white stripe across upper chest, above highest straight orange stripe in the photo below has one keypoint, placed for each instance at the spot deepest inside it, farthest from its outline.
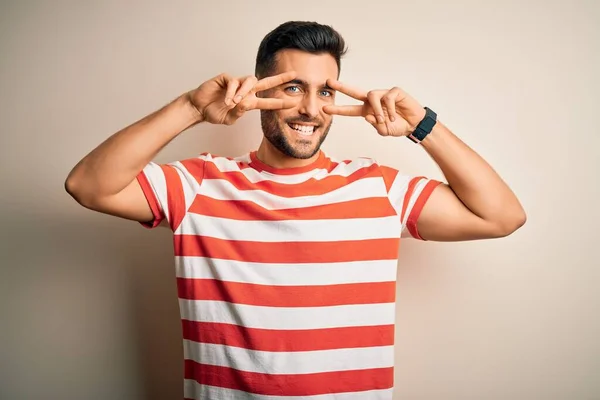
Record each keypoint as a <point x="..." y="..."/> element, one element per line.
<point x="220" y="189"/>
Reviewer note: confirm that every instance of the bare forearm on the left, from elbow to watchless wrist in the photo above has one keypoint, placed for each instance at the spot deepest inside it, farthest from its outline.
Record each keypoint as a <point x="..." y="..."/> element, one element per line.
<point x="115" y="163"/>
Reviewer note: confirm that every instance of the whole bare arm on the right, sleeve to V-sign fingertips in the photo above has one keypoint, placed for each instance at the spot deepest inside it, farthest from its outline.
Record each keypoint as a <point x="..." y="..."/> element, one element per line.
<point x="475" y="203"/>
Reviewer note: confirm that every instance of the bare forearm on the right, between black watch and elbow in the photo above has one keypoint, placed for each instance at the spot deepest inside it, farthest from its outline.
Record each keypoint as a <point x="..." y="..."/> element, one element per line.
<point x="472" y="179"/>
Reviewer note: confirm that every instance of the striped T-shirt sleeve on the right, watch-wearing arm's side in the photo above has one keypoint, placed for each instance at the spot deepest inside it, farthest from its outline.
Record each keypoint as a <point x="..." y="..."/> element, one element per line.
<point x="408" y="195"/>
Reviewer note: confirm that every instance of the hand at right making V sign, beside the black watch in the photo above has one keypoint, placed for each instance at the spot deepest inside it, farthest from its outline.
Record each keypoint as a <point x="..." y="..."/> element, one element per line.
<point x="392" y="112"/>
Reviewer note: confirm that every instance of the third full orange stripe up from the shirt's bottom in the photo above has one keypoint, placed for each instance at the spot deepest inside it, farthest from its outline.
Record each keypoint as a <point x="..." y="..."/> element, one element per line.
<point x="286" y="296"/>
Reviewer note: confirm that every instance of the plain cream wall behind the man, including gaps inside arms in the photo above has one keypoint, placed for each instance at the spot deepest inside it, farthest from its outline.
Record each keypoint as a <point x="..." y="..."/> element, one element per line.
<point x="88" y="306"/>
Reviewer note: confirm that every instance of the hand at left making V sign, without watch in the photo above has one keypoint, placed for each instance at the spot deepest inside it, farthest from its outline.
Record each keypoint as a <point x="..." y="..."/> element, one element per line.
<point x="223" y="99"/>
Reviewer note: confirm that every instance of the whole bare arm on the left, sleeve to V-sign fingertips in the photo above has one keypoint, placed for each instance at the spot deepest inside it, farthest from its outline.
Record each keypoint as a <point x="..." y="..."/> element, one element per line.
<point x="105" y="179"/>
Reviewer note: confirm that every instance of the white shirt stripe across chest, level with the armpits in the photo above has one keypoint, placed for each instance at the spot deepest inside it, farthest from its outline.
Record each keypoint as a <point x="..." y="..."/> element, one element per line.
<point x="320" y="230"/>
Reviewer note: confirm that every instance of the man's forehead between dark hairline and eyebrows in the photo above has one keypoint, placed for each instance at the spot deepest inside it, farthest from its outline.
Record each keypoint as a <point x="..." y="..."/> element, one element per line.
<point x="312" y="68"/>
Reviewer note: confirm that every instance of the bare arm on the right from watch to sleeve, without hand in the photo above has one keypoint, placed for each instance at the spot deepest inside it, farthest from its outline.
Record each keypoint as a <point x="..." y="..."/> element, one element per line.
<point x="475" y="204"/>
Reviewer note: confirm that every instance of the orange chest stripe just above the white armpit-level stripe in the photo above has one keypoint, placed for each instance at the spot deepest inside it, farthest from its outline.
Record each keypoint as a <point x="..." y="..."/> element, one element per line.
<point x="374" y="207"/>
